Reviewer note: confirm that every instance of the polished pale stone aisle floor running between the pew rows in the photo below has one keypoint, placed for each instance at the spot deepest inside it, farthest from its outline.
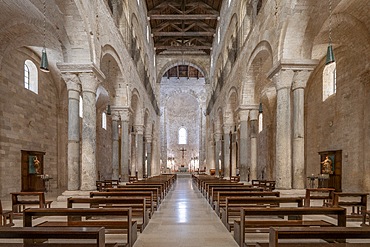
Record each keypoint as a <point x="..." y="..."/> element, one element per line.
<point x="185" y="219"/>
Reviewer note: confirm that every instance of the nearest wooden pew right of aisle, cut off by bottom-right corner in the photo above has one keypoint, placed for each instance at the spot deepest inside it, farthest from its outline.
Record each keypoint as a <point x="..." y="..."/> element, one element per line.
<point x="332" y="233"/>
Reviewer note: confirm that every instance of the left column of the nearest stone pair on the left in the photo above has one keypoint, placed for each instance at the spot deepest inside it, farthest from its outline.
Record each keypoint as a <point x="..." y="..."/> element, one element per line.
<point x="74" y="89"/>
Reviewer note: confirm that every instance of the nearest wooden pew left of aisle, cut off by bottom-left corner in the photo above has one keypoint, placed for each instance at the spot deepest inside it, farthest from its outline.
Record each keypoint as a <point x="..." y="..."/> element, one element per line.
<point x="29" y="234"/>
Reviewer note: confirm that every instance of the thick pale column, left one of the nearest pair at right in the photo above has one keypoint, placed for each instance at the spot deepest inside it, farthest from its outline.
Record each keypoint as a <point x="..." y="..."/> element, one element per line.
<point x="283" y="162"/>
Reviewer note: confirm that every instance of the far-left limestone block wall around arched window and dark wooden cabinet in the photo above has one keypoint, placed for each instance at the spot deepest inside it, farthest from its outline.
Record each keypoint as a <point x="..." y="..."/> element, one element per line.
<point x="29" y="121"/>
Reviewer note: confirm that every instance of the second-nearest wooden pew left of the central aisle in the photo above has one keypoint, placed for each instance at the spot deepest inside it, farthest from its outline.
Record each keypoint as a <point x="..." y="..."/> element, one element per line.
<point x="122" y="223"/>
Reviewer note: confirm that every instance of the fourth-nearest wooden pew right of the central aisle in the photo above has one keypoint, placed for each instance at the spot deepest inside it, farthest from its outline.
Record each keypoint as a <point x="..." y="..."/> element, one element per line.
<point x="222" y="195"/>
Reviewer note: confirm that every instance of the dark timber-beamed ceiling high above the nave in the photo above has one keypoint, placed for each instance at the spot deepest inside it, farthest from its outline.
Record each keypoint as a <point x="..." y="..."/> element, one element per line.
<point x="183" y="26"/>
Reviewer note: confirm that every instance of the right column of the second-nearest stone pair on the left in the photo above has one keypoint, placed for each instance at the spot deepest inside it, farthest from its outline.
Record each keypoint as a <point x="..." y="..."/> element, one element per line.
<point x="125" y="116"/>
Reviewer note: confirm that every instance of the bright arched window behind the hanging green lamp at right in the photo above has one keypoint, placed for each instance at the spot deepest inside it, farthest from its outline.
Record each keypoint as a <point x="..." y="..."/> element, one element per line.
<point x="329" y="81"/>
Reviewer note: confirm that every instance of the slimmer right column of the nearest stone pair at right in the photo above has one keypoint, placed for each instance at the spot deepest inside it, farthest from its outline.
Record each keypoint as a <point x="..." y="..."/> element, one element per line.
<point x="299" y="84"/>
